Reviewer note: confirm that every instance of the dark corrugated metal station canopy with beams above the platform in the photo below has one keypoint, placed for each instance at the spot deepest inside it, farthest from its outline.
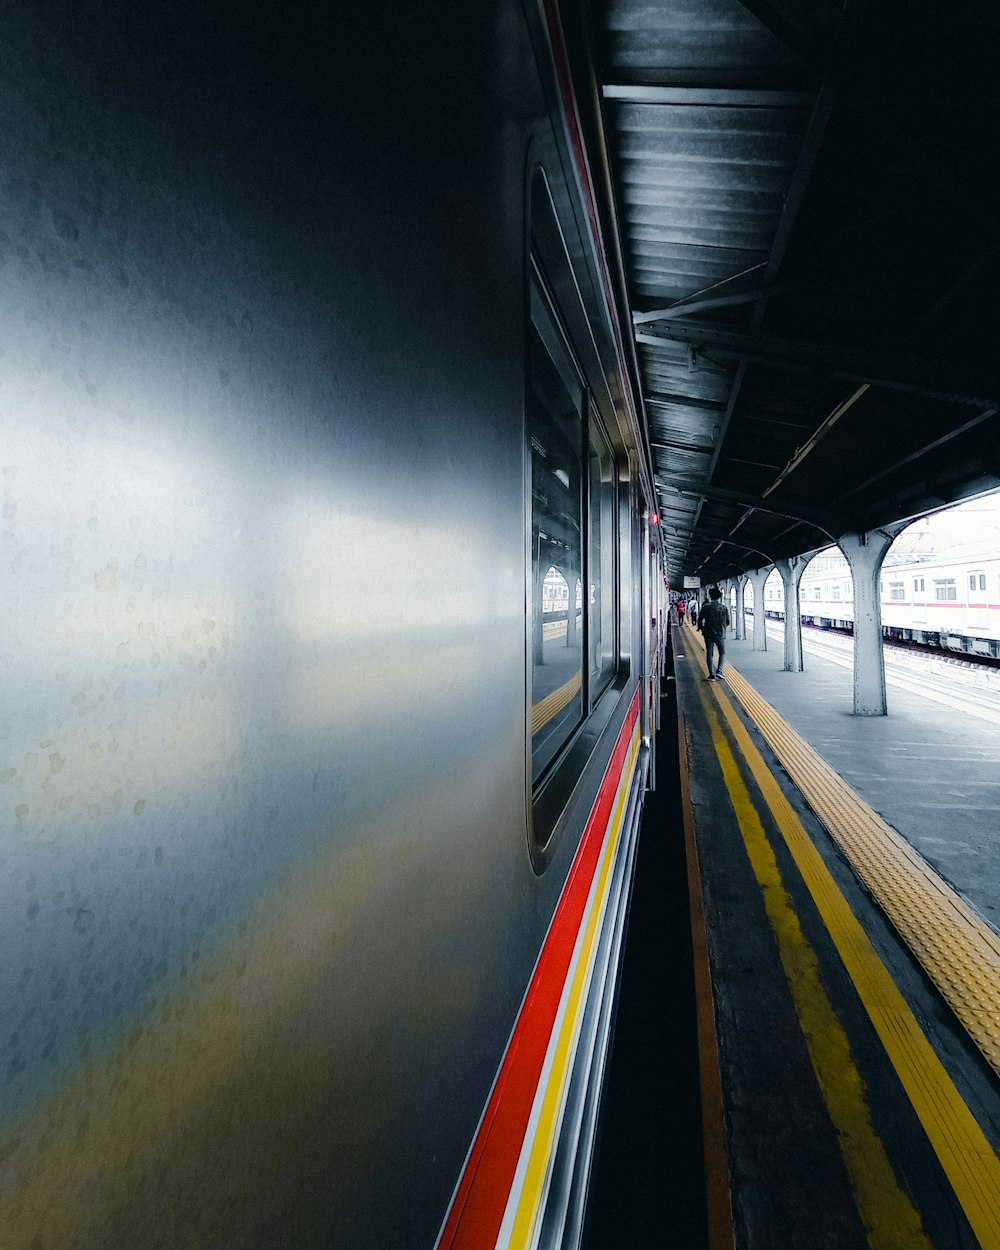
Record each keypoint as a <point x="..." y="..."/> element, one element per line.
<point x="806" y="199"/>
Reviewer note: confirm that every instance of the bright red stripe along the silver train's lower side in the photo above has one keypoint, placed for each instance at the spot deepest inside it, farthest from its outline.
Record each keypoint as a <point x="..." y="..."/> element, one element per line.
<point x="482" y="1197"/>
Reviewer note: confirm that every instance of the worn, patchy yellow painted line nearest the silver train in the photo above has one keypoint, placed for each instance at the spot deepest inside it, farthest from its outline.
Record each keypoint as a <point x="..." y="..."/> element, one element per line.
<point x="889" y="1217"/>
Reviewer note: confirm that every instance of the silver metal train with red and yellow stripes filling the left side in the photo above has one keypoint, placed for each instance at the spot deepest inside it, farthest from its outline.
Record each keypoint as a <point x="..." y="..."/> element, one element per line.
<point x="317" y="837"/>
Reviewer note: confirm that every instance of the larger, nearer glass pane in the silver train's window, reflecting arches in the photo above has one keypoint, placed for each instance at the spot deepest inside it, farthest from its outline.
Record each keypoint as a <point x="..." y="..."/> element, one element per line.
<point x="556" y="428"/>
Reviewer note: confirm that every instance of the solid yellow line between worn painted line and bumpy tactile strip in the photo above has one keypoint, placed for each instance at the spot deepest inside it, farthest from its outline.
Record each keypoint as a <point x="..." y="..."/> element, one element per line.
<point x="961" y="1146"/>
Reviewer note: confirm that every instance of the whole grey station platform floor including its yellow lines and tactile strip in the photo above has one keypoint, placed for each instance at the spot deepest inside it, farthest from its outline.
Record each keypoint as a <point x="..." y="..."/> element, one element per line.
<point x="844" y="889"/>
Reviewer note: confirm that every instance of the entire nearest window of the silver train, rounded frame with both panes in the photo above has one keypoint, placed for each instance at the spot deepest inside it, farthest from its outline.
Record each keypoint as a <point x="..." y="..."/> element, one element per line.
<point x="574" y="492"/>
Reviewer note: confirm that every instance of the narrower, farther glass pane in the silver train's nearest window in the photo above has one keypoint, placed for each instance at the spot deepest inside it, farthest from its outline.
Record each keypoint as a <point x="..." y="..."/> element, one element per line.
<point x="602" y="563"/>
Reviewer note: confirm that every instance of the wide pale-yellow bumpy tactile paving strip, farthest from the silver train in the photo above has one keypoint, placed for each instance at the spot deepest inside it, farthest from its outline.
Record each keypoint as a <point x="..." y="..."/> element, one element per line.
<point x="958" y="951"/>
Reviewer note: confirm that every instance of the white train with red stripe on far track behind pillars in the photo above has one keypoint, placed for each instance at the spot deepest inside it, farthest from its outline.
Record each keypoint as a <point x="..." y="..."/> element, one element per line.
<point x="952" y="602"/>
